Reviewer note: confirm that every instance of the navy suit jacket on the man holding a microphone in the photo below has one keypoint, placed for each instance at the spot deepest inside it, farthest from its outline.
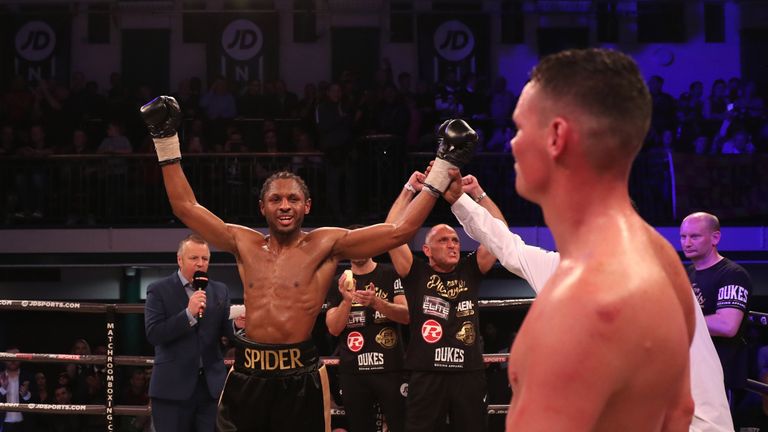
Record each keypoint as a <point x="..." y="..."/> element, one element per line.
<point x="179" y="347"/>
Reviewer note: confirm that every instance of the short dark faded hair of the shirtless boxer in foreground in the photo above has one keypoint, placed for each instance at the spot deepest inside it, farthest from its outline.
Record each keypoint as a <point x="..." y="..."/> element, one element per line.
<point x="606" y="85"/>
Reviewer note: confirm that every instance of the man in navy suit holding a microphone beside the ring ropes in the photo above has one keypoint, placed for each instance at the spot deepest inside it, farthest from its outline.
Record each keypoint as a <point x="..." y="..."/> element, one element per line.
<point x="189" y="370"/>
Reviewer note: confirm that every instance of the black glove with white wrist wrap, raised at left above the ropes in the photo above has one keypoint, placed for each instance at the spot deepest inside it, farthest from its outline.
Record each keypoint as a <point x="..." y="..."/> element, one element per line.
<point x="162" y="116"/>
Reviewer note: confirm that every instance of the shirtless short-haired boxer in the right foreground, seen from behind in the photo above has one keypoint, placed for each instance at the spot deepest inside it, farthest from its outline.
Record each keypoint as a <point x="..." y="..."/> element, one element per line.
<point x="605" y="345"/>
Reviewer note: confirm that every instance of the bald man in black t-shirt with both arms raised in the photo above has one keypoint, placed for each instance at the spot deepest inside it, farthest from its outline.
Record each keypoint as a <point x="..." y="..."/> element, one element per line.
<point x="444" y="353"/>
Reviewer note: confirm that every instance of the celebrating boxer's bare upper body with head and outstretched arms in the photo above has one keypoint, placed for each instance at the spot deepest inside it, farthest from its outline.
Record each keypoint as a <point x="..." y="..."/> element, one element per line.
<point x="286" y="276"/>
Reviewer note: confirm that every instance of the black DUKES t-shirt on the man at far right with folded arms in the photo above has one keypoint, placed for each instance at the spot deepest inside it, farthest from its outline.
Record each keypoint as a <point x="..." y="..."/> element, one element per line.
<point x="726" y="285"/>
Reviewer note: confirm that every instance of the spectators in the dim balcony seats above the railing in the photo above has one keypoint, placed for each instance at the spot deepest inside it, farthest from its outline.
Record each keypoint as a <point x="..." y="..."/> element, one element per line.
<point x="45" y="117"/>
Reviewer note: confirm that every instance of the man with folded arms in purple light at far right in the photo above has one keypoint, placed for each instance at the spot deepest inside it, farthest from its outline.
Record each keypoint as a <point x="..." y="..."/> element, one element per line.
<point x="722" y="288"/>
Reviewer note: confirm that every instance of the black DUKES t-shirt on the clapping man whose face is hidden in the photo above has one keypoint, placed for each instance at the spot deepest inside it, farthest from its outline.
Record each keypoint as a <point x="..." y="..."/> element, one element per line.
<point x="371" y="342"/>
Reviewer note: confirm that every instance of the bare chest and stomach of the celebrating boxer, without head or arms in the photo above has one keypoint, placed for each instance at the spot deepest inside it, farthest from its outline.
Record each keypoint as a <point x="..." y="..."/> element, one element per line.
<point x="283" y="288"/>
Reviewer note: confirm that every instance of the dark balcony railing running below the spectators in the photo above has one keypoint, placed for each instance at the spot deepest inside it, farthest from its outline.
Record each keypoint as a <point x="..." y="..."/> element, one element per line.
<point x="128" y="191"/>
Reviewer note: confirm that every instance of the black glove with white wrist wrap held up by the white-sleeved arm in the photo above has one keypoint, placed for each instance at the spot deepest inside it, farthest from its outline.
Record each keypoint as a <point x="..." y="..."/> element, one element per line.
<point x="456" y="145"/>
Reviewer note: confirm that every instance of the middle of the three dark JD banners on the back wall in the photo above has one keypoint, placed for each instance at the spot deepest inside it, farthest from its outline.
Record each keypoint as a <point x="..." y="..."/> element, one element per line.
<point x="243" y="46"/>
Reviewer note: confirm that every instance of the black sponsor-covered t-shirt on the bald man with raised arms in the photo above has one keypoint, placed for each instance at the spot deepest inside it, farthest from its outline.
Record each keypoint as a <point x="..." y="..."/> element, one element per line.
<point x="443" y="313"/>
